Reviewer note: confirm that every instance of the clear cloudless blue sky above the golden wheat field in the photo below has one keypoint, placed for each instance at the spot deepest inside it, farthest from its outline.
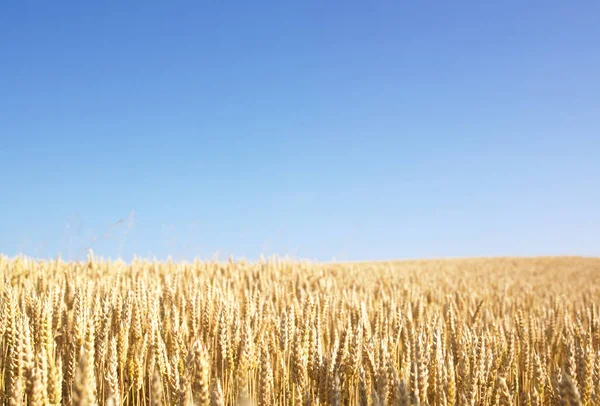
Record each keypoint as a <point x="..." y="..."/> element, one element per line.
<point x="354" y="130"/>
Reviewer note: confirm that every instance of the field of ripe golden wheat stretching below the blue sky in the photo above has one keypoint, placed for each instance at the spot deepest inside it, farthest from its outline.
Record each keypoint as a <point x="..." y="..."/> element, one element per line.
<point x="505" y="331"/>
